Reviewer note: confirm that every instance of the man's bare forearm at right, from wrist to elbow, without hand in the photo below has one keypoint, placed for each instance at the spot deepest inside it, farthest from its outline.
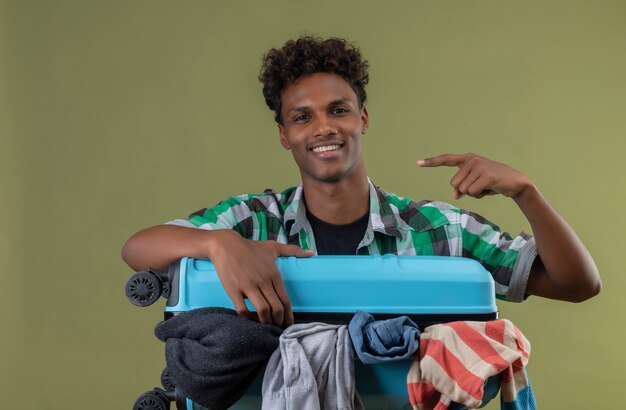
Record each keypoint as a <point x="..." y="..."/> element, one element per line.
<point x="567" y="270"/>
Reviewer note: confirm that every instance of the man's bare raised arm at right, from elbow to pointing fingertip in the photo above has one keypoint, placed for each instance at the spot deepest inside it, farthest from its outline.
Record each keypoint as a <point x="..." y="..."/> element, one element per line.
<point x="564" y="269"/>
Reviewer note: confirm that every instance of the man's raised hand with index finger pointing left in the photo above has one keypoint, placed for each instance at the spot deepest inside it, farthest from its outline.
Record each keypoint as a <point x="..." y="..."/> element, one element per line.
<point x="479" y="176"/>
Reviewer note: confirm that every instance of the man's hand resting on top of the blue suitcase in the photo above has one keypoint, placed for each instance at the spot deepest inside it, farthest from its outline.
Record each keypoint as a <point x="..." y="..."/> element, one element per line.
<point x="247" y="268"/>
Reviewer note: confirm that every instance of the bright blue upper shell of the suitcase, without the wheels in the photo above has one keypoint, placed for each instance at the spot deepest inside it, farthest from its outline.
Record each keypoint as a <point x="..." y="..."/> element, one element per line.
<point x="338" y="284"/>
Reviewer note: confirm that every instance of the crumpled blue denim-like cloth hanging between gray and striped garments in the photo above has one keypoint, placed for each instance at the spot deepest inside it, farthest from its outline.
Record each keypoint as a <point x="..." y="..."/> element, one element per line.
<point x="378" y="341"/>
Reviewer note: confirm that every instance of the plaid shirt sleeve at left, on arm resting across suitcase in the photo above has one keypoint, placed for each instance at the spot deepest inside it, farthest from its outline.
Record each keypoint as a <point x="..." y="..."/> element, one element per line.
<point x="233" y="213"/>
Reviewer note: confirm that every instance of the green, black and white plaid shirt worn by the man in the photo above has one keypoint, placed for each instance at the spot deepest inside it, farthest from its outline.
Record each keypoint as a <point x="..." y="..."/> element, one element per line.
<point x="397" y="225"/>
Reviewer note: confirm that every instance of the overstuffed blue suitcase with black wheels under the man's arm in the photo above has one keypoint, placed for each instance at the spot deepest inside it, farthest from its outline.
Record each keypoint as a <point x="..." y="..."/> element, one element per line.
<point x="428" y="289"/>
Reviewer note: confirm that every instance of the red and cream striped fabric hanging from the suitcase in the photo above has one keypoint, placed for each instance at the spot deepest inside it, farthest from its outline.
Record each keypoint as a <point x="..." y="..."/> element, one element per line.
<point x="455" y="360"/>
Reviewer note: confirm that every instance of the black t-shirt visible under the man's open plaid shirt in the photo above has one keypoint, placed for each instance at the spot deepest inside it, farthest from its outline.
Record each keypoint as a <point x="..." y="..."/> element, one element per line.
<point x="338" y="239"/>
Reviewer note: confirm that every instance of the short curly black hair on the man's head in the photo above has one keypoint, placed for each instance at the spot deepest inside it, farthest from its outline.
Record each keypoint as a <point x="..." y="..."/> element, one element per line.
<point x="308" y="55"/>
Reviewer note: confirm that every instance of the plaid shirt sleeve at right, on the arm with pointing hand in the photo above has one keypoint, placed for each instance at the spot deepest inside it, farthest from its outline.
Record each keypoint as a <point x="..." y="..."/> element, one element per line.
<point x="509" y="259"/>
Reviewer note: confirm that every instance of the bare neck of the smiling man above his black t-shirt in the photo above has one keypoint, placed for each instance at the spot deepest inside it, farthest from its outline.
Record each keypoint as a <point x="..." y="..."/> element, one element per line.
<point x="337" y="203"/>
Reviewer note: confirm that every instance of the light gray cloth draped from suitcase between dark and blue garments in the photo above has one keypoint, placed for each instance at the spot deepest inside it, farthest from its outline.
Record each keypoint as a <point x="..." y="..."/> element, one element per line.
<point x="313" y="368"/>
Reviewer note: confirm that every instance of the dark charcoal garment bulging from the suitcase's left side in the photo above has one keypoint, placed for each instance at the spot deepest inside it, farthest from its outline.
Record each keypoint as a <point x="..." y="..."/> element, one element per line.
<point x="213" y="354"/>
